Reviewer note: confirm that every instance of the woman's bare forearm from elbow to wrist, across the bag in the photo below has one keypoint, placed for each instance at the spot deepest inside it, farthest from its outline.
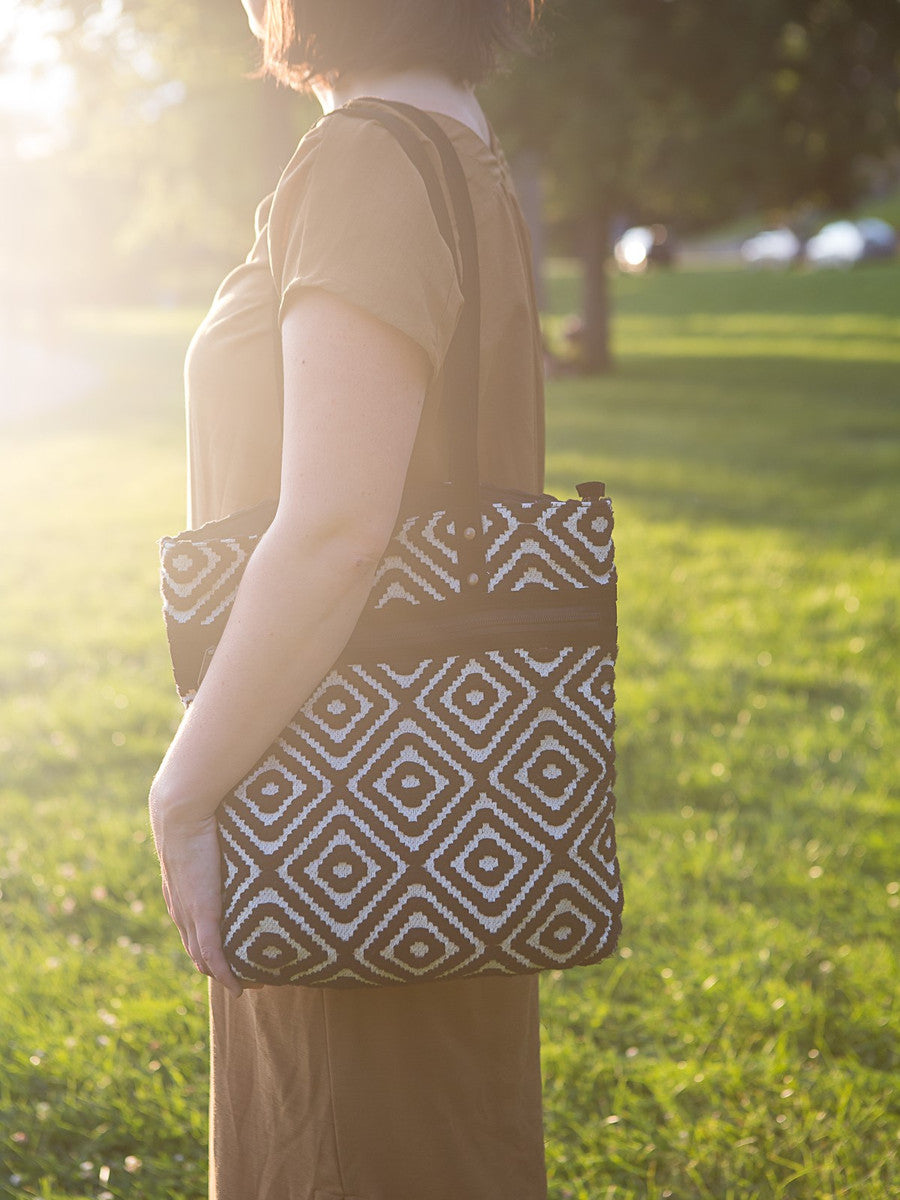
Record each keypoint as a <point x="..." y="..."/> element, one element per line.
<point x="298" y="604"/>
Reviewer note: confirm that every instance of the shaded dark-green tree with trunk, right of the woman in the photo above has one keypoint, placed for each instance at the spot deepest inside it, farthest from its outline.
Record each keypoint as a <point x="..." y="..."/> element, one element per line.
<point x="692" y="112"/>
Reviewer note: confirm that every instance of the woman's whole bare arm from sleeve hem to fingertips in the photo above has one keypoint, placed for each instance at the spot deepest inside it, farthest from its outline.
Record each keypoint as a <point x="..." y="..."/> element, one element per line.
<point x="353" y="393"/>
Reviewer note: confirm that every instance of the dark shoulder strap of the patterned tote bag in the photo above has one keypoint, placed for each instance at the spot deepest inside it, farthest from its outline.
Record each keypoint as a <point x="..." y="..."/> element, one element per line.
<point x="463" y="362"/>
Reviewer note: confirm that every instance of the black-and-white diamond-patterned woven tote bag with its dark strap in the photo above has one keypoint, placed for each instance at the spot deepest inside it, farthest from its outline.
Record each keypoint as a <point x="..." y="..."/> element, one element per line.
<point x="442" y="806"/>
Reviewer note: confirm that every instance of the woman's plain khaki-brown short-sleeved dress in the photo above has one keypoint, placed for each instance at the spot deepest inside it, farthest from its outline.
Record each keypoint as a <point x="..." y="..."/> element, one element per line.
<point x="427" y="1093"/>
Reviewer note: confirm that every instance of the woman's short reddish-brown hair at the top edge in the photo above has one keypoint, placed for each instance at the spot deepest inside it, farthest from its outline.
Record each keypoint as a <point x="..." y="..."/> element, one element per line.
<point x="311" y="41"/>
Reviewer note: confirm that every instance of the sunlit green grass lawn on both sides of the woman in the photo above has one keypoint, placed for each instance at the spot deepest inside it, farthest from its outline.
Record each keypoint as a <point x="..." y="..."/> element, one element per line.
<point x="745" y="1042"/>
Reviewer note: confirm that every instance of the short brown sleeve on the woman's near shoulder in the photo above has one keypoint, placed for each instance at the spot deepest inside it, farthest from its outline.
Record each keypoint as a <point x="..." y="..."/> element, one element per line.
<point x="352" y="215"/>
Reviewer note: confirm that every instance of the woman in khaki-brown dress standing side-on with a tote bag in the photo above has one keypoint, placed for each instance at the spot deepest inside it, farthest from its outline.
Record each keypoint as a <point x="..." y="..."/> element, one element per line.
<point x="427" y="1093"/>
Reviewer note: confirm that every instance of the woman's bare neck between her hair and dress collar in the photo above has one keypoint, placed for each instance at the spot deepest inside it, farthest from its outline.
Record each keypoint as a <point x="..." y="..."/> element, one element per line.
<point x="423" y="88"/>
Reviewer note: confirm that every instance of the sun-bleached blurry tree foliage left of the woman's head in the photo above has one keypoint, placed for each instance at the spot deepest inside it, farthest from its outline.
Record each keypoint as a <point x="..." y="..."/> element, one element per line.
<point x="146" y="185"/>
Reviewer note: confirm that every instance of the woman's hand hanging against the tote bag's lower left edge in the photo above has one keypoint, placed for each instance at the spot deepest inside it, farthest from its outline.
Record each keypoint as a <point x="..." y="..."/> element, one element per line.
<point x="193" y="886"/>
